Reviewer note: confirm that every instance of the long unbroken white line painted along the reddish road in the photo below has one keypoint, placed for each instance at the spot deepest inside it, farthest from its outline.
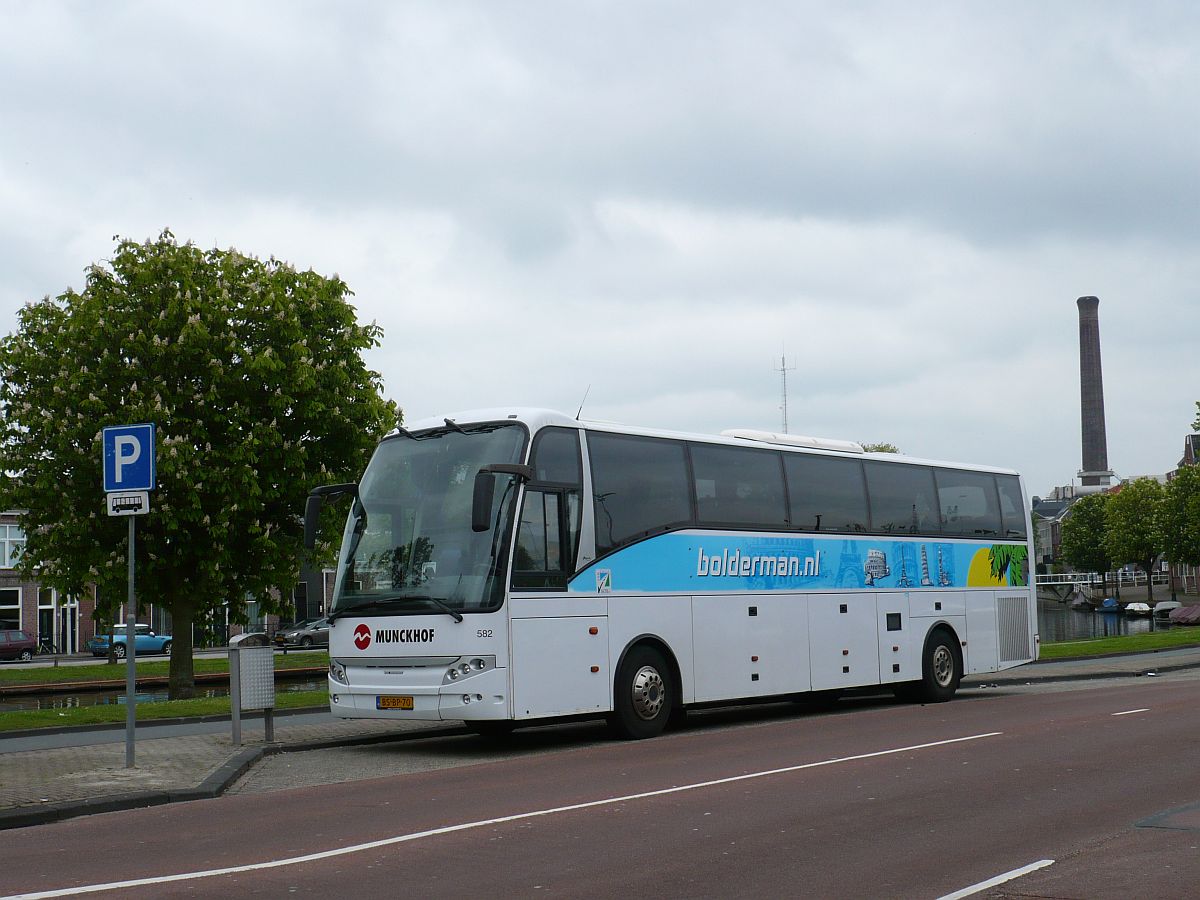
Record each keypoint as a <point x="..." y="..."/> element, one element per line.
<point x="483" y="824"/>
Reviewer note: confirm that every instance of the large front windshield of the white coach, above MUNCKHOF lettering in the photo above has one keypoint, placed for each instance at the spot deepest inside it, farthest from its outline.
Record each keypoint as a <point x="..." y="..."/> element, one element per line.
<point x="409" y="545"/>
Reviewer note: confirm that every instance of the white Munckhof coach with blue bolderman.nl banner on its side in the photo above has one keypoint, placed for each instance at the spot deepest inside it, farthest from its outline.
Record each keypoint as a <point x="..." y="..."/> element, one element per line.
<point x="507" y="567"/>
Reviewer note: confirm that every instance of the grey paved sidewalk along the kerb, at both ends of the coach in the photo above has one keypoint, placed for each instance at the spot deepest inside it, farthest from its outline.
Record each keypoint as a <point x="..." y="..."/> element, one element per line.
<point x="40" y="787"/>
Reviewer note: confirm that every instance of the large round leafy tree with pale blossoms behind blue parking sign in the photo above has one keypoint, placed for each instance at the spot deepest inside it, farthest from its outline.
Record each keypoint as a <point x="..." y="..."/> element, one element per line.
<point x="253" y="374"/>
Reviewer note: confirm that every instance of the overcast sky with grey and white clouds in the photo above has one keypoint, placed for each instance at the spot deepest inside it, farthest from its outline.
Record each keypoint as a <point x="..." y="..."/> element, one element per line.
<point x="662" y="200"/>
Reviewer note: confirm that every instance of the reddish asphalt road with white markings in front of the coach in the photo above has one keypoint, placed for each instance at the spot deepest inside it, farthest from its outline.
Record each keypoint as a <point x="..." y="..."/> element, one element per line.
<point x="1091" y="793"/>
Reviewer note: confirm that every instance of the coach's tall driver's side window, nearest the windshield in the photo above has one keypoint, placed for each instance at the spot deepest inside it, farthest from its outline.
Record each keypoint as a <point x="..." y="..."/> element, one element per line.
<point x="549" y="530"/>
